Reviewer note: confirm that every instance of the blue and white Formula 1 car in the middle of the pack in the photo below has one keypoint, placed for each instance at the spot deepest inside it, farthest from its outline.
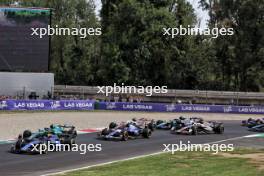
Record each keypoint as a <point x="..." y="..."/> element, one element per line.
<point x="124" y="131"/>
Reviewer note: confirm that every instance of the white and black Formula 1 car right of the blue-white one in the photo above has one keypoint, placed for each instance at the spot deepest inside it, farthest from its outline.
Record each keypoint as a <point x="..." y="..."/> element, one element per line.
<point x="200" y="128"/>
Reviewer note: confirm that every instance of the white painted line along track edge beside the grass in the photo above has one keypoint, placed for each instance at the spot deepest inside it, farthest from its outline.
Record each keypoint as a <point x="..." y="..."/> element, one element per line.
<point x="136" y="157"/>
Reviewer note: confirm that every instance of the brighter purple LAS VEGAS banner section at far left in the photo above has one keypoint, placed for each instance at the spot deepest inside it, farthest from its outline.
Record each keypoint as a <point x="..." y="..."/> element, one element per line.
<point x="46" y="105"/>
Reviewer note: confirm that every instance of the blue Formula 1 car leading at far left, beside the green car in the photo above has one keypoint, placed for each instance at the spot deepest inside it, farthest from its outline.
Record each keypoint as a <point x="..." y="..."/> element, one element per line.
<point x="34" y="142"/>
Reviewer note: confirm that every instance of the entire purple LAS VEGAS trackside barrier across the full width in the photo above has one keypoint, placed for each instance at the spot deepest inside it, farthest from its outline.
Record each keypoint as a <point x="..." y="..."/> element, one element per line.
<point x="120" y="106"/>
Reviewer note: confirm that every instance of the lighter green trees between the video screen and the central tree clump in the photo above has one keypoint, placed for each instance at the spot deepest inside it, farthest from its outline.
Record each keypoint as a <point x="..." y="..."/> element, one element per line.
<point x="73" y="59"/>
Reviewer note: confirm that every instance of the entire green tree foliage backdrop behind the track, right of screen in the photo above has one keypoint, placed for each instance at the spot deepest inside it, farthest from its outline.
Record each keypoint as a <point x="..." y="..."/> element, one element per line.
<point x="134" y="51"/>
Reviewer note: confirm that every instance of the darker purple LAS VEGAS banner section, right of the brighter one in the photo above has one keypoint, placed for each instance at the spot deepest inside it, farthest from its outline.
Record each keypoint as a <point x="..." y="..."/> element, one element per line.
<point x="161" y="107"/>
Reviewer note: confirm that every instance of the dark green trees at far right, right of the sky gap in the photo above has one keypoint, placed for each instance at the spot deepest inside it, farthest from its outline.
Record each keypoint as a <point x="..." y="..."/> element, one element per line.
<point x="240" y="57"/>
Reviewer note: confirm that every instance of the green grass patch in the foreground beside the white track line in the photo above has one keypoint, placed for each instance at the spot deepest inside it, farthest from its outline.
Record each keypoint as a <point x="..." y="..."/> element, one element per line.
<point x="179" y="164"/>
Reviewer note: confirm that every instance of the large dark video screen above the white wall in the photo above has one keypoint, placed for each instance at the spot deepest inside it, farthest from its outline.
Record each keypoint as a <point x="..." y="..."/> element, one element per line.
<point x="19" y="50"/>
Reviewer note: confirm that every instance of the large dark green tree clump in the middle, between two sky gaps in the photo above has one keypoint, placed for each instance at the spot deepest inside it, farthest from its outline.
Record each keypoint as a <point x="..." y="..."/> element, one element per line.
<point x="135" y="51"/>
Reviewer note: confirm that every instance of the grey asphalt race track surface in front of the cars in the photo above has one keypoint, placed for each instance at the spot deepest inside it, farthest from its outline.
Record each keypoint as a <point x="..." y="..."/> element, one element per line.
<point x="28" y="164"/>
